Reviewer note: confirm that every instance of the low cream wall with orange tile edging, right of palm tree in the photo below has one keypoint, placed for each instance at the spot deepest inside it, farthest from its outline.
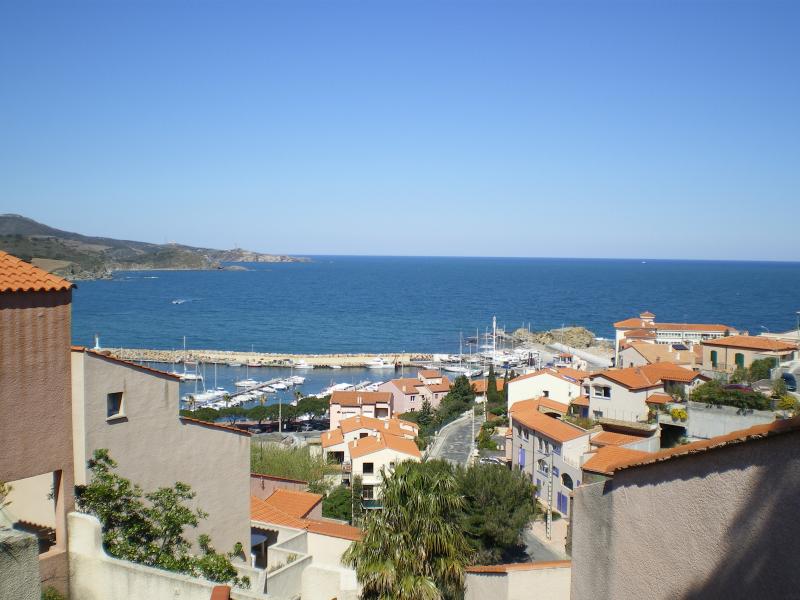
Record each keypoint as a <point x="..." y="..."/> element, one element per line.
<point x="551" y="583"/>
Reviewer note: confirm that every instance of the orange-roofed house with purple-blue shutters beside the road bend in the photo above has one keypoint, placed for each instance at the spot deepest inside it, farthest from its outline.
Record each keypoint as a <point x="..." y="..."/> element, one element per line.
<point x="549" y="451"/>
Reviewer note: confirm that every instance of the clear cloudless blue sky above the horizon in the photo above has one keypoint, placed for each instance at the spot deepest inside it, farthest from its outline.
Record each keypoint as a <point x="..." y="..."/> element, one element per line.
<point x="599" y="129"/>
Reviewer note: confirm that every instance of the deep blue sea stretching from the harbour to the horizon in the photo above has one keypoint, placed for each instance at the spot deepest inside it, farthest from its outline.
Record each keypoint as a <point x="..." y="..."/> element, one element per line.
<point x="380" y="305"/>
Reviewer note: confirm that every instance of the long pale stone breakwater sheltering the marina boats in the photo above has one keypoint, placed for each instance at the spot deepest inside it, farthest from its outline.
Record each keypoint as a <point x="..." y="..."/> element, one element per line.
<point x="264" y="359"/>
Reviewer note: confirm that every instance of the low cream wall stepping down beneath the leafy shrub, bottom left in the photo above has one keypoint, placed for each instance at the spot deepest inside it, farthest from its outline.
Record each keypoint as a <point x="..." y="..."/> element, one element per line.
<point x="96" y="576"/>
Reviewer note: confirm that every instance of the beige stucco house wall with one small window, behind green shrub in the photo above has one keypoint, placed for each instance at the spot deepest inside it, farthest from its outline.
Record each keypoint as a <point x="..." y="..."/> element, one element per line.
<point x="132" y="411"/>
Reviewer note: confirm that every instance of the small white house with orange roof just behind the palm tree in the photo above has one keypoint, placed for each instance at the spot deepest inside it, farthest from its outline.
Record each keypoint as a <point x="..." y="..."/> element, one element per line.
<point x="371" y="454"/>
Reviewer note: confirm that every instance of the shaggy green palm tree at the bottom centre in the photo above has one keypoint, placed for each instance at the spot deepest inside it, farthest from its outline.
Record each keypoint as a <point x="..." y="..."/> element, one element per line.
<point x="413" y="548"/>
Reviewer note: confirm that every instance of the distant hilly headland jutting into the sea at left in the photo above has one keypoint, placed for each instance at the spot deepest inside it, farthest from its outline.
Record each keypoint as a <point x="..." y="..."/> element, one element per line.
<point x="77" y="256"/>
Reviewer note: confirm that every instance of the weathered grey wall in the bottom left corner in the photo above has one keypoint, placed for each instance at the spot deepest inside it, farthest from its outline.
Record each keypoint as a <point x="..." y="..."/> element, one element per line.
<point x="19" y="566"/>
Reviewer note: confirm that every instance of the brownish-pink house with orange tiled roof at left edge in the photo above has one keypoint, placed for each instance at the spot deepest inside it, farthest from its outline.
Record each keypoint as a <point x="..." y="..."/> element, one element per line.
<point x="35" y="410"/>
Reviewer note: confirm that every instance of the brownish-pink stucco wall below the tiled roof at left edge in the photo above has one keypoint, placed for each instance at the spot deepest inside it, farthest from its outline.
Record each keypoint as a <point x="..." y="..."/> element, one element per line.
<point x="35" y="389"/>
